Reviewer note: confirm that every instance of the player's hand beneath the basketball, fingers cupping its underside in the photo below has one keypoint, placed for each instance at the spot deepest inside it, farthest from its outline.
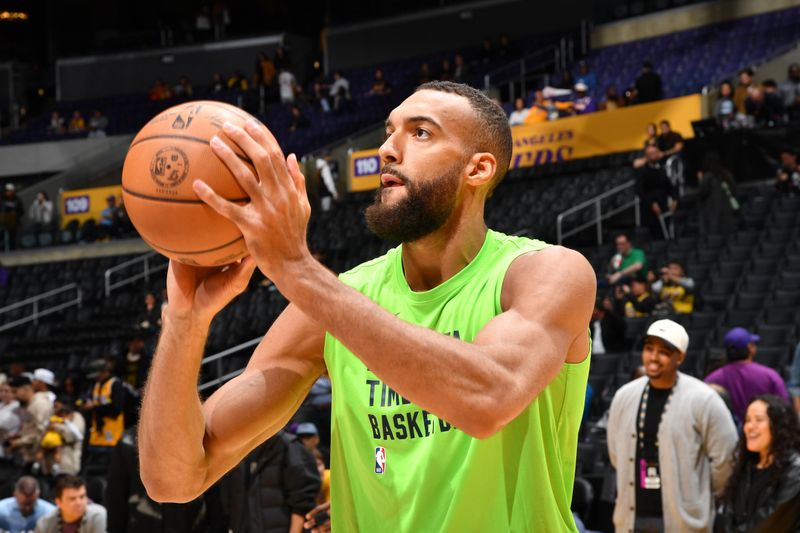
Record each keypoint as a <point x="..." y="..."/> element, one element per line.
<point x="199" y="293"/>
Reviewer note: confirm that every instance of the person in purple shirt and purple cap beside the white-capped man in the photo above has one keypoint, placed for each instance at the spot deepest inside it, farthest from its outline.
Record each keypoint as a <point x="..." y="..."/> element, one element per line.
<point x="741" y="377"/>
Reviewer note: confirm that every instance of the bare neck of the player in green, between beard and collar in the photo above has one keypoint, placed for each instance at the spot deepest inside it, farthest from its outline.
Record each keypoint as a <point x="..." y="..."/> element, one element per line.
<point x="434" y="259"/>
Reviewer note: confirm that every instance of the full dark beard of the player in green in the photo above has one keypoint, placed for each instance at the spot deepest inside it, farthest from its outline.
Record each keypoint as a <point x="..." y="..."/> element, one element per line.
<point x="425" y="208"/>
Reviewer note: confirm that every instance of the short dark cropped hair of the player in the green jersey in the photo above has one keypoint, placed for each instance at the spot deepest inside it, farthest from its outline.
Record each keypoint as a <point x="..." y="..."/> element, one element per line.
<point x="493" y="134"/>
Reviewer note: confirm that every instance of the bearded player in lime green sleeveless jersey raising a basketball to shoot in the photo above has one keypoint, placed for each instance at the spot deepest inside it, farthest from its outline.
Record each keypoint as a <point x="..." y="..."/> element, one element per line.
<point x="458" y="360"/>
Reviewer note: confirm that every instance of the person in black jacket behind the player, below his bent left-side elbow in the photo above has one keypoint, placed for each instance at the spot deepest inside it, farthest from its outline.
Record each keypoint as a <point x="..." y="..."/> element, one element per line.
<point x="274" y="487"/>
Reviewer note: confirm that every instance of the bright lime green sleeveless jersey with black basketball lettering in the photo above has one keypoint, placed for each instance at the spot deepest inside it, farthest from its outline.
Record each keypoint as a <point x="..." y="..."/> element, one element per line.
<point x="396" y="467"/>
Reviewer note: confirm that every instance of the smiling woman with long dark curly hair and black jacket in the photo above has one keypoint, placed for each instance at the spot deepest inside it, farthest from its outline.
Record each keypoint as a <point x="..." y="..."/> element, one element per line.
<point x="763" y="493"/>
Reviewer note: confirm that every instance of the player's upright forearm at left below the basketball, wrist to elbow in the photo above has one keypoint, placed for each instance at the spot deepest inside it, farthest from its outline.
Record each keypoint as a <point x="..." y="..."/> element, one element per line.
<point x="172" y="426"/>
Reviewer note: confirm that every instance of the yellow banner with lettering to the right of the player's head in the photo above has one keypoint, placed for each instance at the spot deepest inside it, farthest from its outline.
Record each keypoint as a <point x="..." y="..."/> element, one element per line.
<point x="599" y="133"/>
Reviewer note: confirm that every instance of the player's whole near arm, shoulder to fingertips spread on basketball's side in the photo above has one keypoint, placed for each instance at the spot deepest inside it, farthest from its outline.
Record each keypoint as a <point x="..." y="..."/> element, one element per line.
<point x="479" y="387"/>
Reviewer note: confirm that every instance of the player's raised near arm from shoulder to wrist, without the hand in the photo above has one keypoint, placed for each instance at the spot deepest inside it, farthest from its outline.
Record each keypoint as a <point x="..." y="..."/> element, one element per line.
<point x="481" y="386"/>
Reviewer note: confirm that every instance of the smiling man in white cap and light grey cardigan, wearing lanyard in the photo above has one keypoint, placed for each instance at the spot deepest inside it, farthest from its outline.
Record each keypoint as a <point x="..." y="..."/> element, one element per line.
<point x="671" y="440"/>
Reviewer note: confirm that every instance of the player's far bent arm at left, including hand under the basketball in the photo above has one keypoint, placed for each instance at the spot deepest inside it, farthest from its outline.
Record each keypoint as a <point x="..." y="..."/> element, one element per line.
<point x="186" y="444"/>
